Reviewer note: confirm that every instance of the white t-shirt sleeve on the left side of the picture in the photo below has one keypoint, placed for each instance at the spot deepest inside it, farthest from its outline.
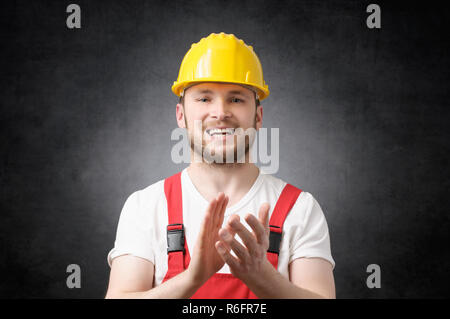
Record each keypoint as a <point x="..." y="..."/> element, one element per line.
<point x="132" y="236"/>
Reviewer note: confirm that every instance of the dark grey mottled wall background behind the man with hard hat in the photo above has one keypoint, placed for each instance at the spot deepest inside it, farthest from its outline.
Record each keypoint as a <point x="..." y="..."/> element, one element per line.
<point x="86" y="117"/>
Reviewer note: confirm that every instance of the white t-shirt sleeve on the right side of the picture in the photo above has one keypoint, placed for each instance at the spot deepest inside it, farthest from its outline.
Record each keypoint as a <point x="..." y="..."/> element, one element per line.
<point x="312" y="238"/>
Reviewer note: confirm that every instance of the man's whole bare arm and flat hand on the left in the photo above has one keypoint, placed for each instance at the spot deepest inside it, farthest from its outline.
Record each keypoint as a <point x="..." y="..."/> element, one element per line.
<point x="132" y="277"/>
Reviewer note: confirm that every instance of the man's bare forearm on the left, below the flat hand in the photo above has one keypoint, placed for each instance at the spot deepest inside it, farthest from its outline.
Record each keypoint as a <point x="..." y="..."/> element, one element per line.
<point x="182" y="286"/>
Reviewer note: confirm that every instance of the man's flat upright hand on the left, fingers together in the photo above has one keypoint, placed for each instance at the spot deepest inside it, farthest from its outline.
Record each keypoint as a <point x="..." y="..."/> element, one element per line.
<point x="206" y="261"/>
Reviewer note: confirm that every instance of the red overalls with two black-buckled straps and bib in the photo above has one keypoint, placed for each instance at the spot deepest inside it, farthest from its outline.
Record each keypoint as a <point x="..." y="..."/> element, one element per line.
<point x="219" y="286"/>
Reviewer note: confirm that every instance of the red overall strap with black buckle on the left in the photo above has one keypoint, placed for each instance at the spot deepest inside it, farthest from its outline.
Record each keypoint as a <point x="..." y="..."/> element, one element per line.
<point x="177" y="261"/>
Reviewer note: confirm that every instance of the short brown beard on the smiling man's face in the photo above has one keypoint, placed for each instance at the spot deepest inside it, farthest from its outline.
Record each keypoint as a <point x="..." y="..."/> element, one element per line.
<point x="221" y="152"/>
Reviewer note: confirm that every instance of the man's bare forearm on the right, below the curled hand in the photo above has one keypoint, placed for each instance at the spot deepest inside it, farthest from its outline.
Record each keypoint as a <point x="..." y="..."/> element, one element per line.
<point x="273" y="285"/>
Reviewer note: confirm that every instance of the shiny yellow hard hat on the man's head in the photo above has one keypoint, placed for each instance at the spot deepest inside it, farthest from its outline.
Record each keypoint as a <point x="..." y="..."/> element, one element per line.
<point x="221" y="58"/>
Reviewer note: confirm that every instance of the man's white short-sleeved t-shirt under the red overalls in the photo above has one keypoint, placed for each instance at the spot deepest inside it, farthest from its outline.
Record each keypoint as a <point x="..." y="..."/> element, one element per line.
<point x="143" y="223"/>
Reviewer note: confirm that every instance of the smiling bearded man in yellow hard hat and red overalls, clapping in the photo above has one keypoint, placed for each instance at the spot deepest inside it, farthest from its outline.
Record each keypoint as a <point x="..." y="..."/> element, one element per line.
<point x="219" y="229"/>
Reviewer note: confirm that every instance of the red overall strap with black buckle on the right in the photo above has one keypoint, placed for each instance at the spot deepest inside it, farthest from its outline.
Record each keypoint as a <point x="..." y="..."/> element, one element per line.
<point x="282" y="208"/>
